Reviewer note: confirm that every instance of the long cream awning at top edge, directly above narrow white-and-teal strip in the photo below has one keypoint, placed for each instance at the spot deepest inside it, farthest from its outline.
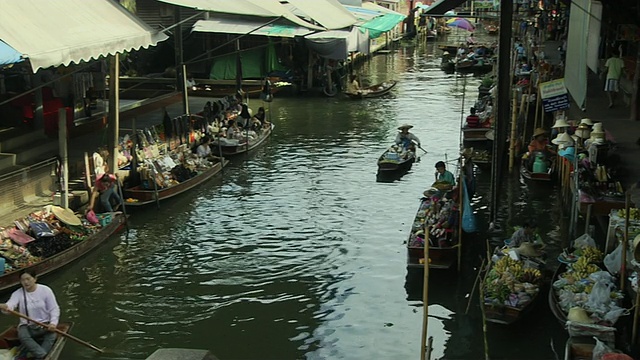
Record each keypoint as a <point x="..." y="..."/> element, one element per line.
<point x="262" y="8"/>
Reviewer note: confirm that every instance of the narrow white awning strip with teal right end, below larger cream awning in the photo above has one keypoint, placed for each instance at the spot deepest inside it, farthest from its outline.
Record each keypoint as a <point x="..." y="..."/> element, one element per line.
<point x="253" y="26"/>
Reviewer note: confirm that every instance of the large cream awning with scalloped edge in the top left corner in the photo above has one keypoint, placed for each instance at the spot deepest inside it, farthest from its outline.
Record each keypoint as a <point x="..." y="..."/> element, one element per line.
<point x="60" y="32"/>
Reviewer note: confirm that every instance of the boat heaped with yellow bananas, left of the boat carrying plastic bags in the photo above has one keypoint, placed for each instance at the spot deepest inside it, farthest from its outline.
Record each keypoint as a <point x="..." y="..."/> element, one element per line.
<point x="511" y="287"/>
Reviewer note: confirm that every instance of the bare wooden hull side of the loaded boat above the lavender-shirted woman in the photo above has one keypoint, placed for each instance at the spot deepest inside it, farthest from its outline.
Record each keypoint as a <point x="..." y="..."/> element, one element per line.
<point x="12" y="279"/>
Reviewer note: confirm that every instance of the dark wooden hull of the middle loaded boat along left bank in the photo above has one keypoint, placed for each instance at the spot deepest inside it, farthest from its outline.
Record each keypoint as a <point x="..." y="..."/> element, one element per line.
<point x="148" y="196"/>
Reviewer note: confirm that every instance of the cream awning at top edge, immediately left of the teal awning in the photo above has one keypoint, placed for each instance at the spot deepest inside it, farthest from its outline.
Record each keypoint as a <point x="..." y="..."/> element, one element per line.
<point x="328" y="13"/>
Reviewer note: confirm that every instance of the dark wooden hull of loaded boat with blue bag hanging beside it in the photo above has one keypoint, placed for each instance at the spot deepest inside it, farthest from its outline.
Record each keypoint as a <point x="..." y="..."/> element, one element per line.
<point x="439" y="257"/>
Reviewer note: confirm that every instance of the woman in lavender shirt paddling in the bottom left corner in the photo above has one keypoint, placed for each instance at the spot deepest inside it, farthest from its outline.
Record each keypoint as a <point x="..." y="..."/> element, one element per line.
<point x="38" y="302"/>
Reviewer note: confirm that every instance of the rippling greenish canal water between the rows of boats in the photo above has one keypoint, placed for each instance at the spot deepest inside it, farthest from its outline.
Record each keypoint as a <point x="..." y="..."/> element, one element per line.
<point x="297" y="252"/>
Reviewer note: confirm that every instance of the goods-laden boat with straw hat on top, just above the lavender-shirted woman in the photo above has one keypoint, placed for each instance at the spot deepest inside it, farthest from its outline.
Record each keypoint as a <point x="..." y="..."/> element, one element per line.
<point x="49" y="239"/>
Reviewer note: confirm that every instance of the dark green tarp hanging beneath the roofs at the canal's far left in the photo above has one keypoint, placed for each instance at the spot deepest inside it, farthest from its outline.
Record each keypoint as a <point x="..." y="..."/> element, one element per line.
<point x="256" y="64"/>
